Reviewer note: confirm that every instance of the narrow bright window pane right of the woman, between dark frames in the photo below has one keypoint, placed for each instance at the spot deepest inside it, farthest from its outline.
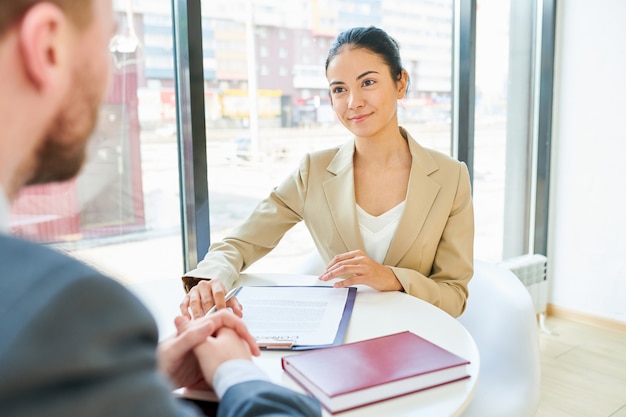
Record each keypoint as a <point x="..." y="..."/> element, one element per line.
<point x="503" y="120"/>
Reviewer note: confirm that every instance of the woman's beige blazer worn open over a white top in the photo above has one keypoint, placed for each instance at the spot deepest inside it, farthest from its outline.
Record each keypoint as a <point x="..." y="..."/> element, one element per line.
<point x="431" y="252"/>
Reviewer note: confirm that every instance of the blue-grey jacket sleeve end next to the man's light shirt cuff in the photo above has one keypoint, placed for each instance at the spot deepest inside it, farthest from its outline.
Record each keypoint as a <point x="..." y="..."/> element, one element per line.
<point x="263" y="398"/>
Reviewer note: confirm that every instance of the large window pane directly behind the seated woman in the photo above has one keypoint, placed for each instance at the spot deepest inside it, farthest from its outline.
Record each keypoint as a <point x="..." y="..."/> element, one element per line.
<point x="268" y="95"/>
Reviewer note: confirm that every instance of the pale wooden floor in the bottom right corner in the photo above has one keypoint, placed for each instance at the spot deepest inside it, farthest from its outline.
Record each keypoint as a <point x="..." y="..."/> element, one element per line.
<point x="583" y="371"/>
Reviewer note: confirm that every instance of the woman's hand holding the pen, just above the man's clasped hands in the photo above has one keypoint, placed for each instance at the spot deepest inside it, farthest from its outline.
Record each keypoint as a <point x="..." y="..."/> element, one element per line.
<point x="206" y="294"/>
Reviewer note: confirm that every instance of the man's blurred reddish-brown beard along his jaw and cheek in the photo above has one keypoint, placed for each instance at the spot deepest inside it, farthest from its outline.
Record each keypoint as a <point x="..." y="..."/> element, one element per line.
<point x="61" y="156"/>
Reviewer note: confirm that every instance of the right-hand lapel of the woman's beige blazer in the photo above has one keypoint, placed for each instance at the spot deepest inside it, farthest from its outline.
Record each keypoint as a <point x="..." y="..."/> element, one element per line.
<point x="421" y="194"/>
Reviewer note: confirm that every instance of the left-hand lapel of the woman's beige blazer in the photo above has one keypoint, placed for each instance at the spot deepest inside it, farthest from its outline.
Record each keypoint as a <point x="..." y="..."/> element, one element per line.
<point x="339" y="192"/>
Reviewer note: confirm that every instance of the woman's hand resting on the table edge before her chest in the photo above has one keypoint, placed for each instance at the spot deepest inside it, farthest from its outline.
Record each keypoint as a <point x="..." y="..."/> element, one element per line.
<point x="358" y="268"/>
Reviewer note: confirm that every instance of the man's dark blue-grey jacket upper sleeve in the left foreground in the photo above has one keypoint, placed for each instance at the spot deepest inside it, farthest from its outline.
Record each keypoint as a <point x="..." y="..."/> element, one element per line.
<point x="83" y="346"/>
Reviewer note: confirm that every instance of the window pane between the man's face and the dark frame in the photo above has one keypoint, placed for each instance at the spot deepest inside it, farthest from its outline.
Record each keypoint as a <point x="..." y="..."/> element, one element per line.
<point x="122" y="212"/>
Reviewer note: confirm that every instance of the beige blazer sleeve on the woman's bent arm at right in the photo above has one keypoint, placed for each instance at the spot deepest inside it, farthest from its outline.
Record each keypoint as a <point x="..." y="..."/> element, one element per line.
<point x="446" y="283"/>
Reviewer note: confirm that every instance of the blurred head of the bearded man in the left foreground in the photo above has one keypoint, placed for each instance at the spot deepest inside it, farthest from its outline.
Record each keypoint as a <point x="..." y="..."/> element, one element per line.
<point x="55" y="55"/>
